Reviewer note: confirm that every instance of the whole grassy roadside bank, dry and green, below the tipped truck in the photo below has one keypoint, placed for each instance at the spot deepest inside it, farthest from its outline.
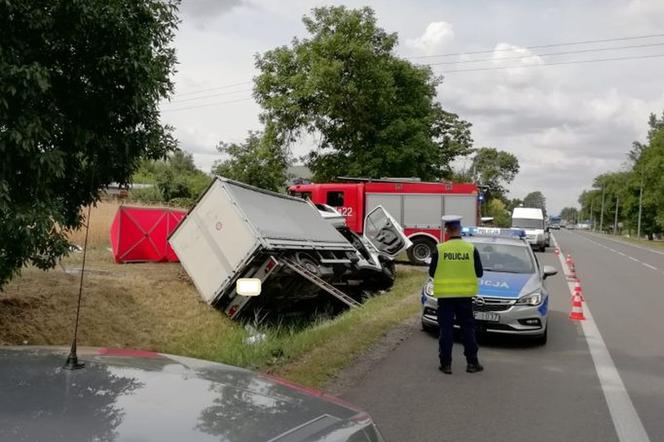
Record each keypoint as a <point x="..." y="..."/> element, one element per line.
<point x="156" y="307"/>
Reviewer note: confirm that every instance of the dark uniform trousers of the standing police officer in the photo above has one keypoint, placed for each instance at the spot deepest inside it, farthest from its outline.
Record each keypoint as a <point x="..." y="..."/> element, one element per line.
<point x="462" y="308"/>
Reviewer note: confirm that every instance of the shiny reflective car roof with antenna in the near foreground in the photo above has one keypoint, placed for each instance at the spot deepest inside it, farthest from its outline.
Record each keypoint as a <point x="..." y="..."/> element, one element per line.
<point x="138" y="395"/>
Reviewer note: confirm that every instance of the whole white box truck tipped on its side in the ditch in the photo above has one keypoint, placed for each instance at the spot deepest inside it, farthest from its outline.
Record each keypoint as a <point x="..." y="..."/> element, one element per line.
<point x="302" y="254"/>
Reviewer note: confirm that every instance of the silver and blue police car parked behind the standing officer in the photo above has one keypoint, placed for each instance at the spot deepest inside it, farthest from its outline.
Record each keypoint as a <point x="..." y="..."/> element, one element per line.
<point x="512" y="298"/>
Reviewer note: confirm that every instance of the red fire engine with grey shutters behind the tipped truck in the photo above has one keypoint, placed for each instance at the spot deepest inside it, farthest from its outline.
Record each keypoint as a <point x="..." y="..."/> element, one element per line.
<point x="417" y="206"/>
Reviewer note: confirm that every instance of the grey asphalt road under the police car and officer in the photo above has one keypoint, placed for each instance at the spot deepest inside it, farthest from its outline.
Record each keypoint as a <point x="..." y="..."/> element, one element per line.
<point x="558" y="392"/>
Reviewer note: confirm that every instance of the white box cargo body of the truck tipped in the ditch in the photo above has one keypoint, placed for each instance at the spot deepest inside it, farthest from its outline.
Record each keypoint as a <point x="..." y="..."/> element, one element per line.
<point x="235" y="227"/>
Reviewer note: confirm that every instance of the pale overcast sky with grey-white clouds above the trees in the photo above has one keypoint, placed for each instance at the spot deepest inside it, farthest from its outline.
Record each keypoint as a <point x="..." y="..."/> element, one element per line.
<point x="565" y="123"/>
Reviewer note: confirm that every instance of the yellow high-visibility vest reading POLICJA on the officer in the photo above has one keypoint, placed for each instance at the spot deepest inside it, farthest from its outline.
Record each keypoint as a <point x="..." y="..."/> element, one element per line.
<point x="455" y="272"/>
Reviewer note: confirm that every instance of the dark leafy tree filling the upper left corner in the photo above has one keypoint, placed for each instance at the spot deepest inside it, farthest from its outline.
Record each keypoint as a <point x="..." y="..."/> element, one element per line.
<point x="80" y="85"/>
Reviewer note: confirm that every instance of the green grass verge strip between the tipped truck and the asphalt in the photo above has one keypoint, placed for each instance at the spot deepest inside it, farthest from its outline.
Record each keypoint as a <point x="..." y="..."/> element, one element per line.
<point x="312" y="355"/>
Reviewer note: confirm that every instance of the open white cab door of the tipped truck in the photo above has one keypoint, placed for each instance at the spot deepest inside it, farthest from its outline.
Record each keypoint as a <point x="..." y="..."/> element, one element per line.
<point x="385" y="233"/>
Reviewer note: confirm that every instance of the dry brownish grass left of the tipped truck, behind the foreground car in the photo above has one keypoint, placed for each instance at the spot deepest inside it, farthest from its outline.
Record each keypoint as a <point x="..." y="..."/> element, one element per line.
<point x="147" y="306"/>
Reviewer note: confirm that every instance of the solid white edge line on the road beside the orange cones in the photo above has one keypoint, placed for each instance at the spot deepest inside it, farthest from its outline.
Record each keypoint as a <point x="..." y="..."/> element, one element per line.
<point x="626" y="420"/>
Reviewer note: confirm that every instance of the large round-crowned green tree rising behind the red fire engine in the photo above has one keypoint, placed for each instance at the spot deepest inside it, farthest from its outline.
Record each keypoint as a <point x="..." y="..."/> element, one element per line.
<point x="374" y="113"/>
